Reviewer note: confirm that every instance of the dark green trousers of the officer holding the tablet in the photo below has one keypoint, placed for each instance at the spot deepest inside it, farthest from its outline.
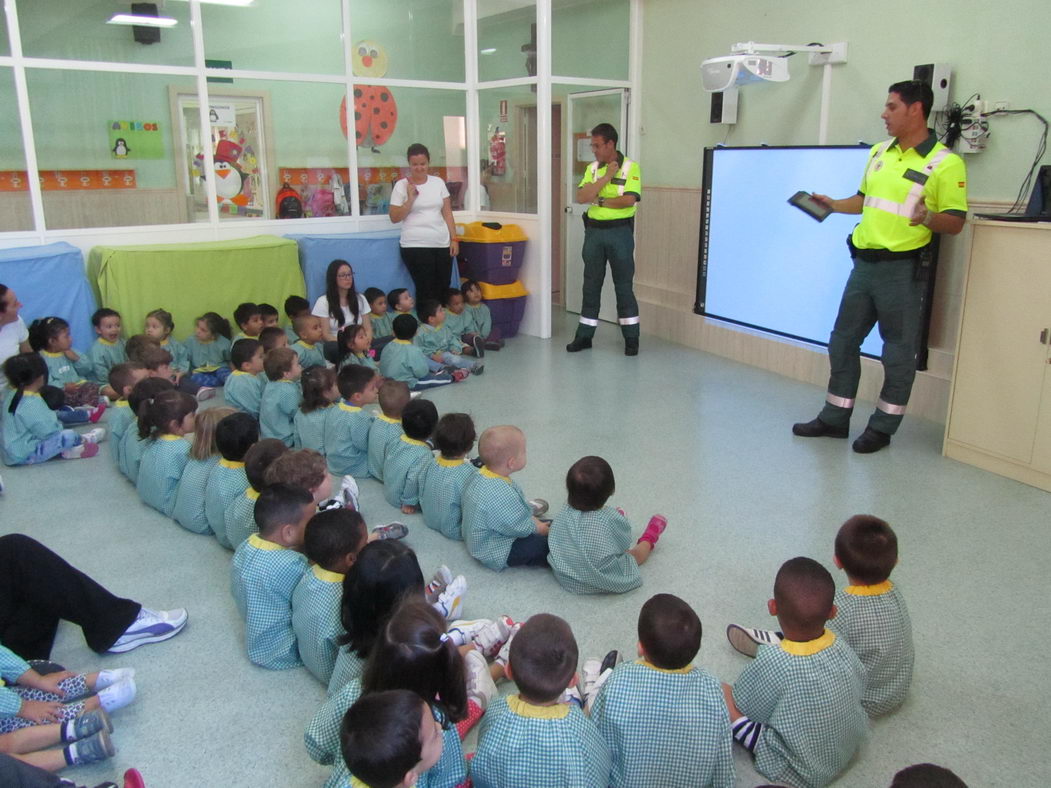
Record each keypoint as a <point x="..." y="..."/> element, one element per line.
<point x="889" y="294"/>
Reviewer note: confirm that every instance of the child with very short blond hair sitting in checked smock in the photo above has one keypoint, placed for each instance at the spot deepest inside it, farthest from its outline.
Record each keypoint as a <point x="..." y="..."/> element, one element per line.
<point x="500" y="528"/>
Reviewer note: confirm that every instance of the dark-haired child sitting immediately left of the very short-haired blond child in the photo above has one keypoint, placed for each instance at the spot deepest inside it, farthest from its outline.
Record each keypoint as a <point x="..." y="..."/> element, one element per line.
<point x="443" y="482"/>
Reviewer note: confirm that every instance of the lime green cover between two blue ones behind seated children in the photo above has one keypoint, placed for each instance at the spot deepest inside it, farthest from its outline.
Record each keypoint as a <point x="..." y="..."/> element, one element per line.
<point x="189" y="280"/>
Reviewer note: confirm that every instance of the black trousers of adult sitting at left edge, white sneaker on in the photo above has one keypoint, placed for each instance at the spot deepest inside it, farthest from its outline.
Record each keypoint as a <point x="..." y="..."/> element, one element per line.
<point x="38" y="590"/>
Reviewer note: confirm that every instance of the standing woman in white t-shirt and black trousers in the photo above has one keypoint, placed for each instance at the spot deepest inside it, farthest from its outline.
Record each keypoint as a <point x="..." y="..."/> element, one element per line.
<point x="428" y="236"/>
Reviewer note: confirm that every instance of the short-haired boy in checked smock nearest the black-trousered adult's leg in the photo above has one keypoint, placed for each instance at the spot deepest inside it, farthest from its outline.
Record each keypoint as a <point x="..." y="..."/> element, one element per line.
<point x="267" y="568"/>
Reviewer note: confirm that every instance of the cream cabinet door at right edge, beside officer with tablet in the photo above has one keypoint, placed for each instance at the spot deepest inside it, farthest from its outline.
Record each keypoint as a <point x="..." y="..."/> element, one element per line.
<point x="1002" y="366"/>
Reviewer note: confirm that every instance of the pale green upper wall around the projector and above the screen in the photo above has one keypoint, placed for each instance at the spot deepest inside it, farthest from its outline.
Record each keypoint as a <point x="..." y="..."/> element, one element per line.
<point x="998" y="50"/>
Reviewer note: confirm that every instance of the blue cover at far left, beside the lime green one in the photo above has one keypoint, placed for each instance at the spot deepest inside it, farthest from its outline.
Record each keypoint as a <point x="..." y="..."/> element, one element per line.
<point x="51" y="281"/>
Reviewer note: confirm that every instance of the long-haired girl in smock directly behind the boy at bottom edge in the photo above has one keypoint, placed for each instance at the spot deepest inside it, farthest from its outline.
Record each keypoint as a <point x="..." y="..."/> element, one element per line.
<point x="413" y="653"/>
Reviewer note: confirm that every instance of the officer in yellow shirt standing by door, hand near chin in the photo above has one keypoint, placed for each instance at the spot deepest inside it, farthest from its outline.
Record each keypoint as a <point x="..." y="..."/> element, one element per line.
<point x="613" y="185"/>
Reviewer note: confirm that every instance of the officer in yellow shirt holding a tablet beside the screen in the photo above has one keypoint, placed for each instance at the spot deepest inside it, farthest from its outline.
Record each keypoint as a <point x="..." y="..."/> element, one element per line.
<point x="913" y="188"/>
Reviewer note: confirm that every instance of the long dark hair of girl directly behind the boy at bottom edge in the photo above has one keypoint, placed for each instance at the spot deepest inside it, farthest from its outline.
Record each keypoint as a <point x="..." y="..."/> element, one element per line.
<point x="411" y="654"/>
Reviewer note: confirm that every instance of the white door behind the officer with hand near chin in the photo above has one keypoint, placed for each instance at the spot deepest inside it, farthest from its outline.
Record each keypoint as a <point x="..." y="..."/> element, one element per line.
<point x="587" y="111"/>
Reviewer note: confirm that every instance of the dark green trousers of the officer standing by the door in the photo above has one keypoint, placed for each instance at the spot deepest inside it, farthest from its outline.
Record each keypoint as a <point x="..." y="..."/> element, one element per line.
<point x="617" y="246"/>
